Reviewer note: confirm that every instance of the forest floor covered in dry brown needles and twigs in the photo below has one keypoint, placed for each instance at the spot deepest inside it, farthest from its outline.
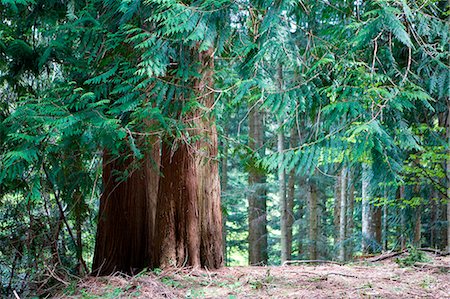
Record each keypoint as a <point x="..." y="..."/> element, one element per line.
<point x="367" y="278"/>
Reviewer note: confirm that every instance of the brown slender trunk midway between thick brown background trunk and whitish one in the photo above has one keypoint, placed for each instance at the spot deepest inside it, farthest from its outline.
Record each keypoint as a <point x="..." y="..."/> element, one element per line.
<point x="313" y="219"/>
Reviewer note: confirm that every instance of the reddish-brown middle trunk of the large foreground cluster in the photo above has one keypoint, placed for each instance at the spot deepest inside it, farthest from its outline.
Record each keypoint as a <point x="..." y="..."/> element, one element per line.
<point x="178" y="236"/>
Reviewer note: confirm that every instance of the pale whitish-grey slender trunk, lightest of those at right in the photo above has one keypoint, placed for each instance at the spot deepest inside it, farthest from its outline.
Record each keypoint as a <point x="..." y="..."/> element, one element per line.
<point x="366" y="213"/>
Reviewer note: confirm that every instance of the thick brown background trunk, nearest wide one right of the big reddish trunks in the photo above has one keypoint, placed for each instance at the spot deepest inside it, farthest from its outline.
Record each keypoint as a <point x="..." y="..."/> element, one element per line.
<point x="257" y="210"/>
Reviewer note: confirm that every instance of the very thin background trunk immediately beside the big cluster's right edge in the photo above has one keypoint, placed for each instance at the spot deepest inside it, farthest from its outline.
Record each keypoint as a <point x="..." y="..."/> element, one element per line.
<point x="223" y="186"/>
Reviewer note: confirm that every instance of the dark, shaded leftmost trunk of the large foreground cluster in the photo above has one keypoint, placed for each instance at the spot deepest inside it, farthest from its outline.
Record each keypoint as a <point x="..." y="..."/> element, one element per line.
<point x="123" y="237"/>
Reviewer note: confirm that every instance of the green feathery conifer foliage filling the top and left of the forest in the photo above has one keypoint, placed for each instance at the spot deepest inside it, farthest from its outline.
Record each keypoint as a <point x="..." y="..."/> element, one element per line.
<point x="353" y="82"/>
